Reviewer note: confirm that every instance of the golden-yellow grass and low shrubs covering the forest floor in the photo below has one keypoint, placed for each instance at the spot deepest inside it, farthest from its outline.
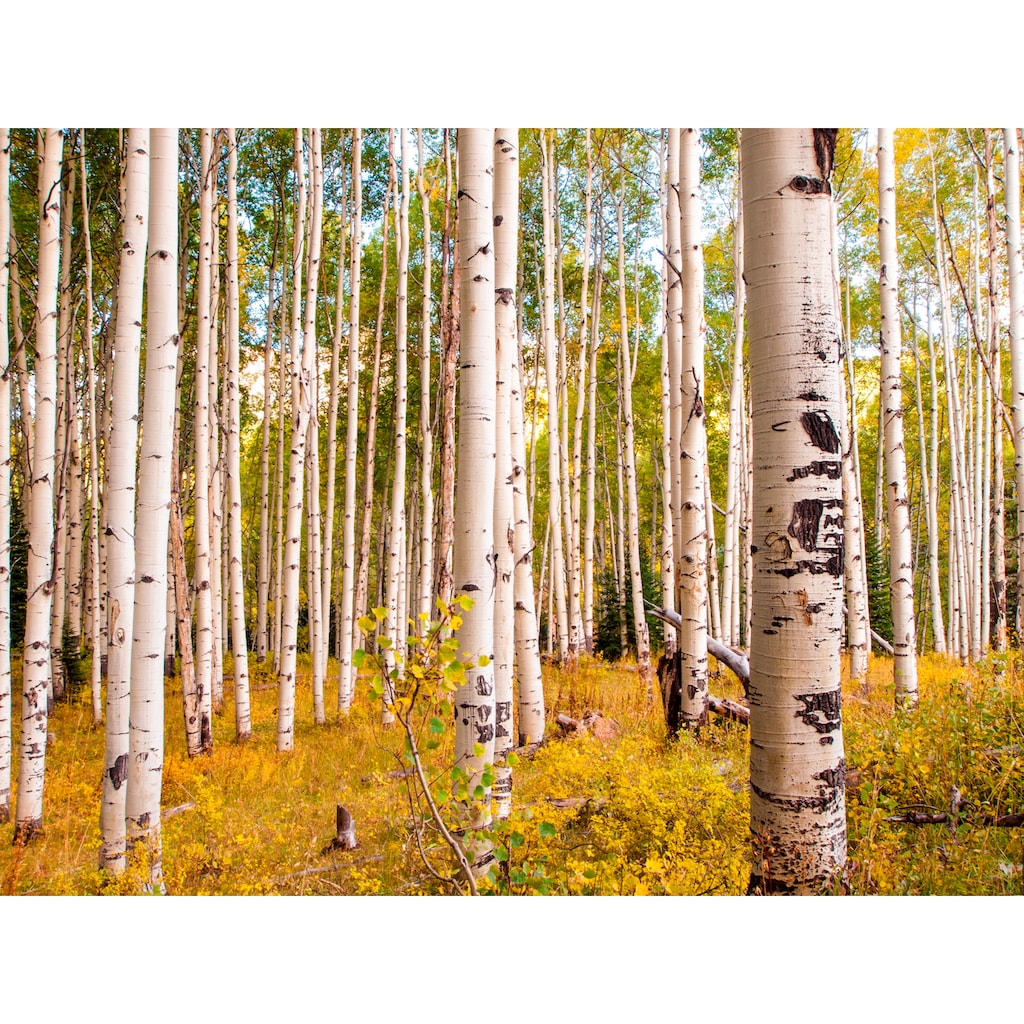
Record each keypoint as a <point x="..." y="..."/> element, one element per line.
<point x="632" y="814"/>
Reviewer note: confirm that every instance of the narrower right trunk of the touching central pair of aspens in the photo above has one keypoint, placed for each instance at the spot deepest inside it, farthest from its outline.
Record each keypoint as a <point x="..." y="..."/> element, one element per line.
<point x="506" y="229"/>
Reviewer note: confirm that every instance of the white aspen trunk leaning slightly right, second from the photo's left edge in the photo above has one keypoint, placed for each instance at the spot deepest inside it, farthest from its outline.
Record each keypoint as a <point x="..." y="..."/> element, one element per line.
<point x="32" y="760"/>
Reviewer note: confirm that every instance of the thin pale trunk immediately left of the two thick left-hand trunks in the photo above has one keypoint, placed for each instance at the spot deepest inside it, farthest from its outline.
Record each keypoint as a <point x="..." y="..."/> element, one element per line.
<point x="95" y="574"/>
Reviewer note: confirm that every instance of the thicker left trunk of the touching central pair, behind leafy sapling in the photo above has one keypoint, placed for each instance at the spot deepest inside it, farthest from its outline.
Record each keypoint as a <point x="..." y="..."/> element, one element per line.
<point x="474" y="548"/>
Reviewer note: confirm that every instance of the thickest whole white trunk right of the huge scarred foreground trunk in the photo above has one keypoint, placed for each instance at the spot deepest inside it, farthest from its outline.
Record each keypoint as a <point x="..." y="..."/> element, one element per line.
<point x="901" y="537"/>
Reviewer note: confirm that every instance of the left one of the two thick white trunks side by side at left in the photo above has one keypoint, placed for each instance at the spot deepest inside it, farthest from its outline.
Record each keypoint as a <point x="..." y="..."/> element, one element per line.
<point x="120" y="499"/>
